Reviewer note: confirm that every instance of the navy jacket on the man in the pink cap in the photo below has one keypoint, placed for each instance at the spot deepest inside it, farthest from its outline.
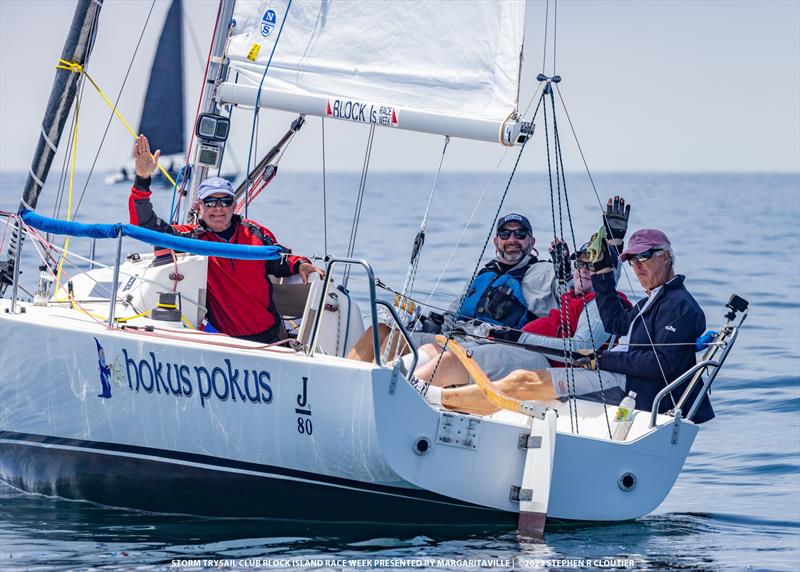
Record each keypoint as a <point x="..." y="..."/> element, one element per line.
<point x="673" y="317"/>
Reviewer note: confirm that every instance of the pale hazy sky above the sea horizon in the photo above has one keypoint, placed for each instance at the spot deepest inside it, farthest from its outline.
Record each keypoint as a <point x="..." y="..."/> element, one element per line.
<point x="650" y="86"/>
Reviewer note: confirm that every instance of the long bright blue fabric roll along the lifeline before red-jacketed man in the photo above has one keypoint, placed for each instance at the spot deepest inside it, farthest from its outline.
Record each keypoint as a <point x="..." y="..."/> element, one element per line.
<point x="190" y="245"/>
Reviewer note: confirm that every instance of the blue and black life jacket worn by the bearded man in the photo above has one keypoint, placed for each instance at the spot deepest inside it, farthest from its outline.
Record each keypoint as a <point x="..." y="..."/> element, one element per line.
<point x="495" y="296"/>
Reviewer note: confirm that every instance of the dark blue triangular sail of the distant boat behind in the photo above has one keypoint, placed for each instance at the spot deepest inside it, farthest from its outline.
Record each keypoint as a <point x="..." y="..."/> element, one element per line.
<point x="162" y="116"/>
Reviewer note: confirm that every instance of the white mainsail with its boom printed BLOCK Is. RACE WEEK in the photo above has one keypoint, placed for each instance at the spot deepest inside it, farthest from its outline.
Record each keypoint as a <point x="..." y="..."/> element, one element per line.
<point x="440" y="67"/>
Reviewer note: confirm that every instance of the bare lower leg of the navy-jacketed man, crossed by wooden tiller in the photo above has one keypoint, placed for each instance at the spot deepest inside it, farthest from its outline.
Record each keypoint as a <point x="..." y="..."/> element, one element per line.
<point x="521" y="384"/>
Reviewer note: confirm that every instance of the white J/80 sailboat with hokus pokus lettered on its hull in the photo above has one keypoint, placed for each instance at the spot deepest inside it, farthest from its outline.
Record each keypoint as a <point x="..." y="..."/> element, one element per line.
<point x="131" y="405"/>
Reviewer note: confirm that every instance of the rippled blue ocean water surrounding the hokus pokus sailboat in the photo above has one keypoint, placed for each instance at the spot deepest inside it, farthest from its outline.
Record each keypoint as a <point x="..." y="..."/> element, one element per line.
<point x="736" y="504"/>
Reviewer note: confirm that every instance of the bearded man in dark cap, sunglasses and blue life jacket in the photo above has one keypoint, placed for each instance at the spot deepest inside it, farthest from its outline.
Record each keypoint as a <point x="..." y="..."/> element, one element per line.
<point x="511" y="290"/>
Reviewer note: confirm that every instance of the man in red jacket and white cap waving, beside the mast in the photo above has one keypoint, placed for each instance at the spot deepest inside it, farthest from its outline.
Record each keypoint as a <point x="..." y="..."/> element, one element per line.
<point x="239" y="291"/>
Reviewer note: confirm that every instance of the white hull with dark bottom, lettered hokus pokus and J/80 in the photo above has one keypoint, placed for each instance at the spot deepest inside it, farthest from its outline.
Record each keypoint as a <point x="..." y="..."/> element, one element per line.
<point x="195" y="442"/>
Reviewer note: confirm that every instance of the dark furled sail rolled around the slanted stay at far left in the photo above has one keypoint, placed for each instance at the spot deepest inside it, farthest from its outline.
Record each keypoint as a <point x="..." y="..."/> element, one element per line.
<point x="77" y="48"/>
